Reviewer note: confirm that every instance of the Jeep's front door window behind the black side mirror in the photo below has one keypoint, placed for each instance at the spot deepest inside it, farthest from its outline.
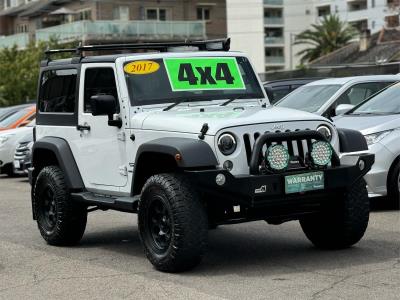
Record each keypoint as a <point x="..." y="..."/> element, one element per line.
<point x="99" y="81"/>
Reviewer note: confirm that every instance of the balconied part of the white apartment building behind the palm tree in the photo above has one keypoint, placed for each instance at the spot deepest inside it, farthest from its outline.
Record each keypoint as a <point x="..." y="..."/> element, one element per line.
<point x="284" y="19"/>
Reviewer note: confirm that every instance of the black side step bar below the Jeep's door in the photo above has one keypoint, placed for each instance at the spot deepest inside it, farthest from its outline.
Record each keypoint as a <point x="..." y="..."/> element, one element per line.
<point x="125" y="204"/>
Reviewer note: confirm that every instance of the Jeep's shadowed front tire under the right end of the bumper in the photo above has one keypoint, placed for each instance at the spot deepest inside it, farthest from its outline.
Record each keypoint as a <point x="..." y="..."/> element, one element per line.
<point x="342" y="224"/>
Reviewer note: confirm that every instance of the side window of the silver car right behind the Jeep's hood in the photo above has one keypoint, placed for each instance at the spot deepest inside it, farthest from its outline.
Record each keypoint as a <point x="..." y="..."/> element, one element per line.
<point x="360" y="92"/>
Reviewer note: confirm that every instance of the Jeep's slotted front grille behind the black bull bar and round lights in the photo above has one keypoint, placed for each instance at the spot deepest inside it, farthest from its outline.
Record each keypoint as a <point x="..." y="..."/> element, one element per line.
<point x="298" y="149"/>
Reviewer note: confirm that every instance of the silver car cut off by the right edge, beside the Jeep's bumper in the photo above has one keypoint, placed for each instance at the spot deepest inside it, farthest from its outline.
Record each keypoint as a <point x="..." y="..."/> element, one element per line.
<point x="378" y="119"/>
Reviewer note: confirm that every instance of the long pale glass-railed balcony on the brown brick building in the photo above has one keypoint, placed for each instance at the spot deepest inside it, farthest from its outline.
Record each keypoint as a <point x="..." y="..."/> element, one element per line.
<point x="123" y="31"/>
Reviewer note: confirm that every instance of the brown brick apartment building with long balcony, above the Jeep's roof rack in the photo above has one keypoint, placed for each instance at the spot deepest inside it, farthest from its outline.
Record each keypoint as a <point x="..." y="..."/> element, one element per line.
<point x="100" y="21"/>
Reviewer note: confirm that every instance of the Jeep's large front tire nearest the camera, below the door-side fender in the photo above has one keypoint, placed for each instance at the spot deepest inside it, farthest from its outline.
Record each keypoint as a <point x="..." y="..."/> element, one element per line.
<point x="186" y="242"/>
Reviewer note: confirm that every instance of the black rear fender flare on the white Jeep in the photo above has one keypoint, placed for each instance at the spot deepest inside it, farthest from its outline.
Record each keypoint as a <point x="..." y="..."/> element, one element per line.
<point x="66" y="161"/>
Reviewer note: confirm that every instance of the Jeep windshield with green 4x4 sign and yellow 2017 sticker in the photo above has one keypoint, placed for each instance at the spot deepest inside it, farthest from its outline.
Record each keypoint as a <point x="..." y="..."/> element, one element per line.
<point x="191" y="79"/>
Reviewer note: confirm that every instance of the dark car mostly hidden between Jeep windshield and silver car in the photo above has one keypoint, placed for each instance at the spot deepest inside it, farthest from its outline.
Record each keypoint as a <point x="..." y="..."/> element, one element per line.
<point x="277" y="89"/>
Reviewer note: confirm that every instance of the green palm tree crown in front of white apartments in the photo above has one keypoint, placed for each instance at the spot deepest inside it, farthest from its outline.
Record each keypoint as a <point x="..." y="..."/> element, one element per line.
<point x="324" y="38"/>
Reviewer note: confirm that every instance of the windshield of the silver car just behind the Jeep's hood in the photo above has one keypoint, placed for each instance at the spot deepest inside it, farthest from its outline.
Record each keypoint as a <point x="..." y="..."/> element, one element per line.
<point x="309" y="97"/>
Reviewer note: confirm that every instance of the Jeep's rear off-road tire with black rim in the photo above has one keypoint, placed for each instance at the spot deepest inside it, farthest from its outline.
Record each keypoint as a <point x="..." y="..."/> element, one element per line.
<point x="68" y="219"/>
